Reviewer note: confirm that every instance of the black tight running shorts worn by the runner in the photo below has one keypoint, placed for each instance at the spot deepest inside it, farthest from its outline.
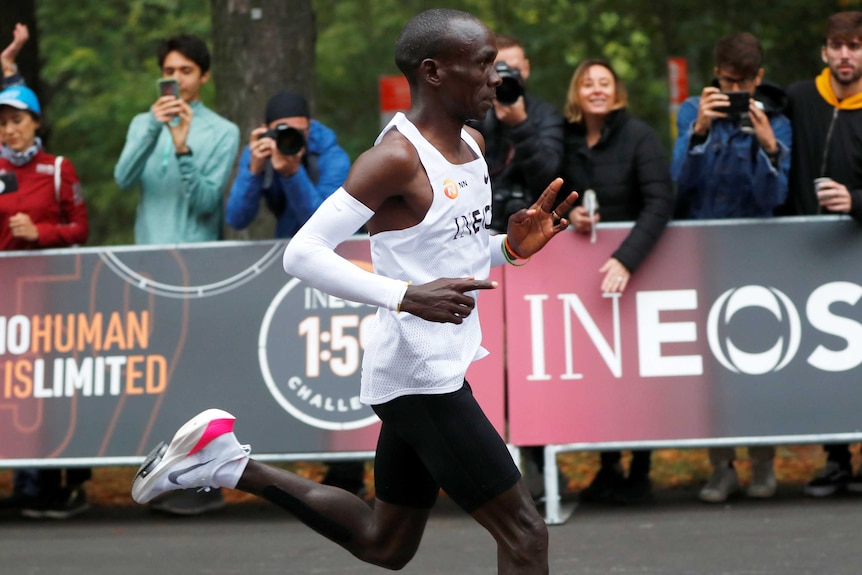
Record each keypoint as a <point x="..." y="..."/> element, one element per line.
<point x="429" y="442"/>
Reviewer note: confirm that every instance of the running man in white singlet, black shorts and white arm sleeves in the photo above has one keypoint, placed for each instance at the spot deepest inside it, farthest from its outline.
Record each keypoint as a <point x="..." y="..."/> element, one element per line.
<point x="424" y="195"/>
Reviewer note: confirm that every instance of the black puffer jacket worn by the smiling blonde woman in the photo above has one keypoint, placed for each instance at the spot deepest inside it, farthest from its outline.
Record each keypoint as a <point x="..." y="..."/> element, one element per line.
<point x="629" y="171"/>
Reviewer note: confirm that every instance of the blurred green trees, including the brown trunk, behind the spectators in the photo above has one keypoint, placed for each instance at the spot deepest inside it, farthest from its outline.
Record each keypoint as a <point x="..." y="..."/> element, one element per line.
<point x="99" y="69"/>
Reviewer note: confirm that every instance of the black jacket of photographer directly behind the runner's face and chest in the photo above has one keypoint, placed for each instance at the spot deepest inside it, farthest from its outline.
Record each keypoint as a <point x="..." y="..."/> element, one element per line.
<point x="522" y="159"/>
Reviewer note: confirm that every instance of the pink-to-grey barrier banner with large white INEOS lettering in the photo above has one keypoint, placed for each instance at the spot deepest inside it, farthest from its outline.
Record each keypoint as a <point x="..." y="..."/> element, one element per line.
<point x="739" y="329"/>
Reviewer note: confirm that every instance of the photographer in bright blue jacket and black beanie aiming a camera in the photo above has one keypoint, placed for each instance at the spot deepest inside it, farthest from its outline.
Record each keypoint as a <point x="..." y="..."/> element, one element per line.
<point x="293" y="162"/>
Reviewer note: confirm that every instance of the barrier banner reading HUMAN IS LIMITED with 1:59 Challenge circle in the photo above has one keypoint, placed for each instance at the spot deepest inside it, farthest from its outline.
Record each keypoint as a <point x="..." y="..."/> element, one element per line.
<point x="104" y="352"/>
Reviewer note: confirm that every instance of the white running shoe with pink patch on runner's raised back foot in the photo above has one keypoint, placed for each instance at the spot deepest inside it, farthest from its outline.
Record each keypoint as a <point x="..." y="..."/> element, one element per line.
<point x="204" y="453"/>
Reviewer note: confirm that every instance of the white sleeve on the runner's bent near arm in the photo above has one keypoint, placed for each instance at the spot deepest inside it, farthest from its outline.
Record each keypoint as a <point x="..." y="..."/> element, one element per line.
<point x="310" y="255"/>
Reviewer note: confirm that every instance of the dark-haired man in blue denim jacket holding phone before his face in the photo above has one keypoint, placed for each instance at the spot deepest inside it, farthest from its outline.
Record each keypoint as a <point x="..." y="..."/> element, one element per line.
<point x="730" y="165"/>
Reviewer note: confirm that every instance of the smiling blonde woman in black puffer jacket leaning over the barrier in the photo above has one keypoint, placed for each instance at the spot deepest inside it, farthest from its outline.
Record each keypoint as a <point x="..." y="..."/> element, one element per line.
<point x="622" y="160"/>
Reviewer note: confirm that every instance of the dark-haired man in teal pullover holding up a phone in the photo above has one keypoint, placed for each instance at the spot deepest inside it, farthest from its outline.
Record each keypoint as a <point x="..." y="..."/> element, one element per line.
<point x="180" y="153"/>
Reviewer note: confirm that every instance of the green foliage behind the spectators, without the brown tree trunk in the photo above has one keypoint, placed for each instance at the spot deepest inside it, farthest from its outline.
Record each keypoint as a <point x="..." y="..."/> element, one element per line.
<point x="100" y="62"/>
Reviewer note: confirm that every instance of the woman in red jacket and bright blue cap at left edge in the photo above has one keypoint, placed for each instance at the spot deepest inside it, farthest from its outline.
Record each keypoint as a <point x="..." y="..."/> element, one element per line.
<point x="47" y="210"/>
